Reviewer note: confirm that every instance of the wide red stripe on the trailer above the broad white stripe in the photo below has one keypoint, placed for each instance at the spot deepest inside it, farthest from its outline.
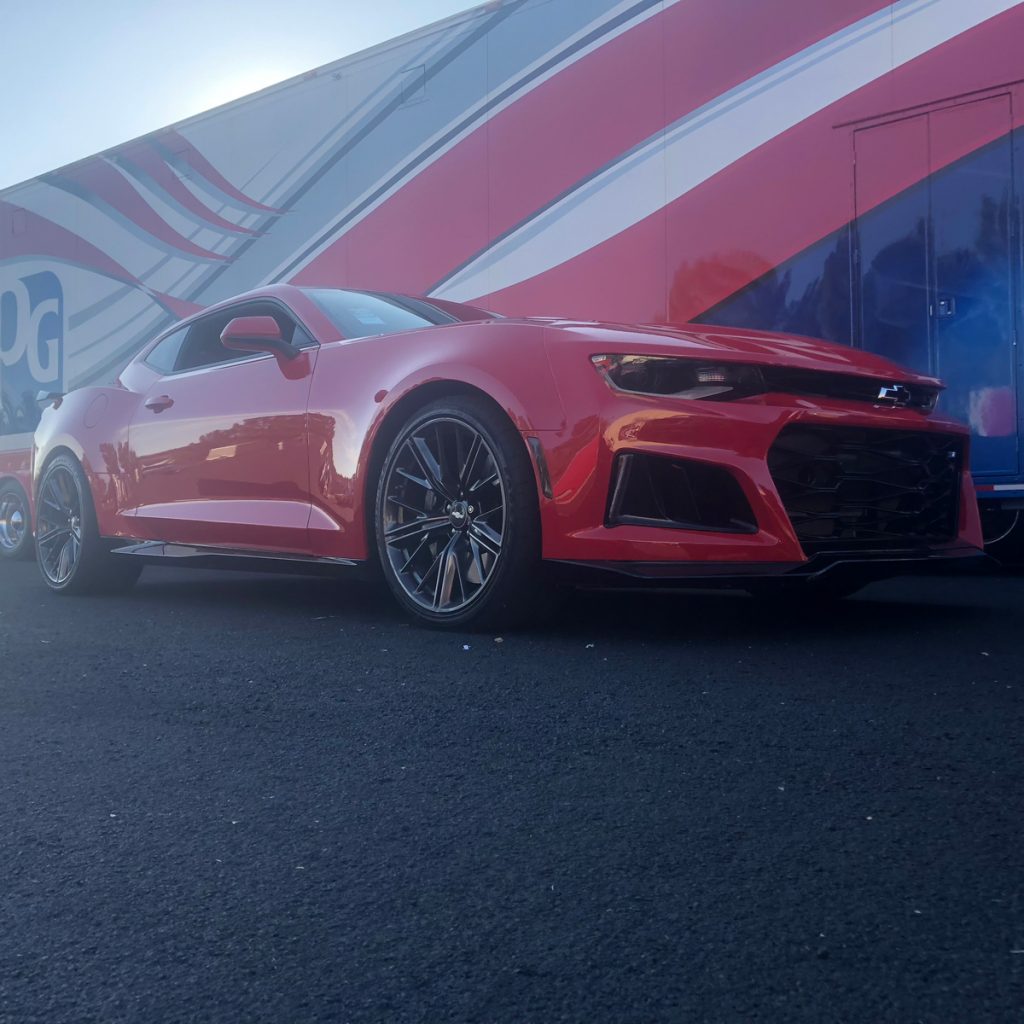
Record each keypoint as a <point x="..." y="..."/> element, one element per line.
<point x="569" y="127"/>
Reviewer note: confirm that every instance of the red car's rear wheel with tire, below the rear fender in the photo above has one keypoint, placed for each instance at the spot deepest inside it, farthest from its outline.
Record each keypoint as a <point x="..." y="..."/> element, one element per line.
<point x="73" y="558"/>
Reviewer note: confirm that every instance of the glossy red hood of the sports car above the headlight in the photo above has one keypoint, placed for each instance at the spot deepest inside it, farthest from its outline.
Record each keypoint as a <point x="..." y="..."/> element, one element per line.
<point x="730" y="346"/>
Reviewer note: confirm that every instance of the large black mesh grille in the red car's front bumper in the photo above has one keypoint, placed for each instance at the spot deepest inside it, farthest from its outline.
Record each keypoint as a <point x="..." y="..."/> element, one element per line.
<point x="854" y="488"/>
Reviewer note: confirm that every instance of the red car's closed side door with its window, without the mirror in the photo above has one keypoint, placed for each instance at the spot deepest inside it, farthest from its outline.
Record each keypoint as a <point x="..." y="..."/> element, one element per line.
<point x="219" y="445"/>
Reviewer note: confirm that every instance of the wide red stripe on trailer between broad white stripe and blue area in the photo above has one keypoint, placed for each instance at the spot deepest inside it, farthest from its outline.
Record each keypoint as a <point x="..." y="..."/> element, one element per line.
<point x="772" y="205"/>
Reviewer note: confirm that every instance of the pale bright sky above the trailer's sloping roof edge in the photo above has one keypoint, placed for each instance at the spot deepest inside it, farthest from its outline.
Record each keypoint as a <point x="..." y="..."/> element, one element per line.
<point x="80" y="76"/>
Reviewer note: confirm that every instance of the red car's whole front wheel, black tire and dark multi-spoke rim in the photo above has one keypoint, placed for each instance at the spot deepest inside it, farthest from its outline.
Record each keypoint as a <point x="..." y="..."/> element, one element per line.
<point x="457" y="519"/>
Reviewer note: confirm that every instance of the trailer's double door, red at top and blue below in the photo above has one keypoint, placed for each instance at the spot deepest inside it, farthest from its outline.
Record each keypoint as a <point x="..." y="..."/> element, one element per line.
<point x="934" y="263"/>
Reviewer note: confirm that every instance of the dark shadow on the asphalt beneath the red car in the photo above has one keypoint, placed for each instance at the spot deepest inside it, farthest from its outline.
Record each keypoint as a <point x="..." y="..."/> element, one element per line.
<point x="890" y="608"/>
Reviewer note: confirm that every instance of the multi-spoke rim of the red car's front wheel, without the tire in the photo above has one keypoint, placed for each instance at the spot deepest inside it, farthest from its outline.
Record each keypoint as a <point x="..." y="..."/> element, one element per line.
<point x="443" y="515"/>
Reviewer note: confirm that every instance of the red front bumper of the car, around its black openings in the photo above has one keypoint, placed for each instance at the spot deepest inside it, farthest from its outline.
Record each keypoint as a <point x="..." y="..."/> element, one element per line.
<point x="738" y="437"/>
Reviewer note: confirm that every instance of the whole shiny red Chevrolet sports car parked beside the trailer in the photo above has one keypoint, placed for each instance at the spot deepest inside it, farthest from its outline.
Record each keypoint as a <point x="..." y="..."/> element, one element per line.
<point x="473" y="459"/>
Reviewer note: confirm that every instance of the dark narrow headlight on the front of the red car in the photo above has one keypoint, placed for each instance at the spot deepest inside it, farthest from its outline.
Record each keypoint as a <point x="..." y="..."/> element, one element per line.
<point x="680" y="378"/>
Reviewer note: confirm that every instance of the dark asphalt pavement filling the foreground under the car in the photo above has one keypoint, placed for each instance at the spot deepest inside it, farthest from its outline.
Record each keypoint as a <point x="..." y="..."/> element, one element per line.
<point x="235" y="798"/>
